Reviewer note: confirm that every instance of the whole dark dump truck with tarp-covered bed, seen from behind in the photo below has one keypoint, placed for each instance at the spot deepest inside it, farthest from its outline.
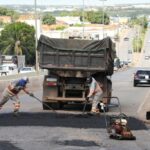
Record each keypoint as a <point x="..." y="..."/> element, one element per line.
<point x="68" y="63"/>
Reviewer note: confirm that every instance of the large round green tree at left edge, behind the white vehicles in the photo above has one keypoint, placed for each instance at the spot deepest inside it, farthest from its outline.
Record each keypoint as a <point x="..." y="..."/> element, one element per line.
<point x="17" y="39"/>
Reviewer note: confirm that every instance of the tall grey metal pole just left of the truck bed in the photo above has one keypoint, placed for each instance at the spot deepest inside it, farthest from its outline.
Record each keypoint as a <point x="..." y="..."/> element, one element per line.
<point x="36" y="52"/>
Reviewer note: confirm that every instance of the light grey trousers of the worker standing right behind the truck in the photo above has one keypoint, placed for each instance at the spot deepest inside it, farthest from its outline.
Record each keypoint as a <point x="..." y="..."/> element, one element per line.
<point x="96" y="100"/>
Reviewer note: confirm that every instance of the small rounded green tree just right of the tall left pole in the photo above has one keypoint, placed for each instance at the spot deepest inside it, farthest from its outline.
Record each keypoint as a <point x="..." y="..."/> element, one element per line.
<point x="49" y="19"/>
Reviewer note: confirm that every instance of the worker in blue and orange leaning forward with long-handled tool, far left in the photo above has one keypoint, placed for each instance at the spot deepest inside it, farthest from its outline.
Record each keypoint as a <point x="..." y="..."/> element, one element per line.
<point x="12" y="90"/>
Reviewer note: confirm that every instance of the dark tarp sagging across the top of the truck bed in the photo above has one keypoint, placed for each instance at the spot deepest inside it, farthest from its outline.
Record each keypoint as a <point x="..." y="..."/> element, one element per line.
<point x="74" y="44"/>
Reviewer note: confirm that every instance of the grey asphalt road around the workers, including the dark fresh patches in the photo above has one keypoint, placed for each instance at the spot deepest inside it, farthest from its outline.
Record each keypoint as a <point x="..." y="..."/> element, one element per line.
<point x="35" y="129"/>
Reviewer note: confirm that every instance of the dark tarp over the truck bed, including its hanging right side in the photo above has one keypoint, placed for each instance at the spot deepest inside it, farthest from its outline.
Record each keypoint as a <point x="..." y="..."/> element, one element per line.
<point x="46" y="44"/>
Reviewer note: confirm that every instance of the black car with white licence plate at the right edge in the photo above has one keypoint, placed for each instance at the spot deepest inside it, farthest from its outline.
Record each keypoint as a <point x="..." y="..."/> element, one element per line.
<point x="141" y="77"/>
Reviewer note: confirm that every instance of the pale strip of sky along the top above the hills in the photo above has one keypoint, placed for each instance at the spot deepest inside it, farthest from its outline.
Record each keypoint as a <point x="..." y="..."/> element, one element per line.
<point x="73" y="2"/>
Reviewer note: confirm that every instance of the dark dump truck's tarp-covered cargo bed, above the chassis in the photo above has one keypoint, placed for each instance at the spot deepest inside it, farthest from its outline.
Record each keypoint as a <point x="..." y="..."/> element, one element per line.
<point x="78" y="55"/>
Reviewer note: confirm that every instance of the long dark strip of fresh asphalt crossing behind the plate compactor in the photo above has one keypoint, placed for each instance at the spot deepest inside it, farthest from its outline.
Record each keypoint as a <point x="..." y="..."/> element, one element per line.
<point x="53" y="119"/>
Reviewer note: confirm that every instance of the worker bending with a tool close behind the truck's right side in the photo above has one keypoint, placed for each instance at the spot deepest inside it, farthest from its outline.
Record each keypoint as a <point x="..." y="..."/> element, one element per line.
<point x="95" y="92"/>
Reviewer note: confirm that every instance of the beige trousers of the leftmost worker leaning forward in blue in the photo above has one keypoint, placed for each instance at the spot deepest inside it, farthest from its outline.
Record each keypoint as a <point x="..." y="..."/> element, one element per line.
<point x="6" y="95"/>
